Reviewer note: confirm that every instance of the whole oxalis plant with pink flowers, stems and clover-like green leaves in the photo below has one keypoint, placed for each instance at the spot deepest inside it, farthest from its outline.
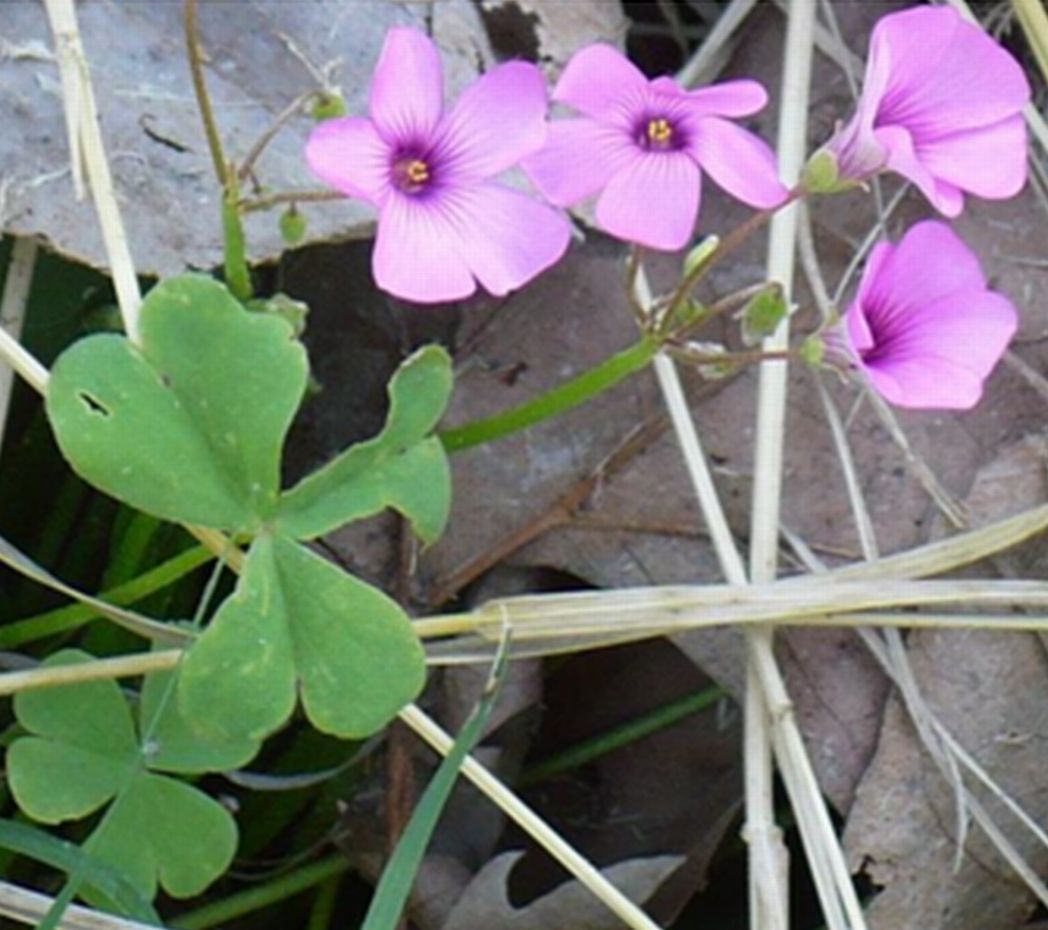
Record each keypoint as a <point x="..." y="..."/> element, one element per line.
<point x="186" y="418"/>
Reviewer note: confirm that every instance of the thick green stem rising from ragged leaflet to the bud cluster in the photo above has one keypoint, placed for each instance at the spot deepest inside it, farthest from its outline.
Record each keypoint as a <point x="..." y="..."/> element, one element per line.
<point x="561" y="399"/>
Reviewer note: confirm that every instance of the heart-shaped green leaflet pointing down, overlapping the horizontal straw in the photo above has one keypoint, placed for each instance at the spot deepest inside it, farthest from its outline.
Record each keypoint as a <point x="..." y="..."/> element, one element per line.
<point x="298" y="621"/>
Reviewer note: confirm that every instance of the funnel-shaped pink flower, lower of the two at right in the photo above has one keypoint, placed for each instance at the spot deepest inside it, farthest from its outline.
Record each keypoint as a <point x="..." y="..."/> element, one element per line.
<point x="924" y="328"/>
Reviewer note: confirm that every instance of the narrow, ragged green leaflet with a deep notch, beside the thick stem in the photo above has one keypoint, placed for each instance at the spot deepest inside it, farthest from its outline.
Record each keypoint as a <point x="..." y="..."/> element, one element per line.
<point x="404" y="467"/>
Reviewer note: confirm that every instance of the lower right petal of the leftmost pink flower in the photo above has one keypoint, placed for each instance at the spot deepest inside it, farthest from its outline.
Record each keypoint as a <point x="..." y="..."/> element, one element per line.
<point x="505" y="237"/>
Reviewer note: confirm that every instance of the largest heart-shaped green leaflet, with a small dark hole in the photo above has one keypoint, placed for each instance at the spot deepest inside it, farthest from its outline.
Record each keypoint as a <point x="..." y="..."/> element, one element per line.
<point x="190" y="426"/>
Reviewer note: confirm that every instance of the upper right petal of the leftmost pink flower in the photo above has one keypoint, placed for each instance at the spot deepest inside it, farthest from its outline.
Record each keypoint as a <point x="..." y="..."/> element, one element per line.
<point x="499" y="119"/>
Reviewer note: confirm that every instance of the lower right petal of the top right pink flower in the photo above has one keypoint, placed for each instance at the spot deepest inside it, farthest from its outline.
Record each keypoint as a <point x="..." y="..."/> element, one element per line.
<point x="990" y="162"/>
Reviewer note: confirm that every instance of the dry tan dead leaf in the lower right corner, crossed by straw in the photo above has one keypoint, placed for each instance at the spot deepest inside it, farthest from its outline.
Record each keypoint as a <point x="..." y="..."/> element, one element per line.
<point x="991" y="690"/>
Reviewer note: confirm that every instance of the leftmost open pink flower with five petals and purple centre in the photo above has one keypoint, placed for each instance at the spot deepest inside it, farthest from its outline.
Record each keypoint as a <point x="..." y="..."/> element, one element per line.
<point x="443" y="224"/>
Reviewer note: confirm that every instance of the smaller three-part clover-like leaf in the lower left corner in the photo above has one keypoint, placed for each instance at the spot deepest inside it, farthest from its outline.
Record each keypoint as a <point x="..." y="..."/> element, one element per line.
<point x="83" y="751"/>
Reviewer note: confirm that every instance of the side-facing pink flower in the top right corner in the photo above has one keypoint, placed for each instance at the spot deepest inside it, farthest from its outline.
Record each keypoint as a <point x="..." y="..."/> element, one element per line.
<point x="943" y="106"/>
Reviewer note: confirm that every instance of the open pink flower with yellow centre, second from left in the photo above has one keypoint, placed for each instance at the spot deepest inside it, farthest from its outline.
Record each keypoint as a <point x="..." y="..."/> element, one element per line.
<point x="643" y="145"/>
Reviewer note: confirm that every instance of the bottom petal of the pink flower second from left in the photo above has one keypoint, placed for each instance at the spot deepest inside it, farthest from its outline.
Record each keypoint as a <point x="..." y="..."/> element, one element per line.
<point x="654" y="201"/>
